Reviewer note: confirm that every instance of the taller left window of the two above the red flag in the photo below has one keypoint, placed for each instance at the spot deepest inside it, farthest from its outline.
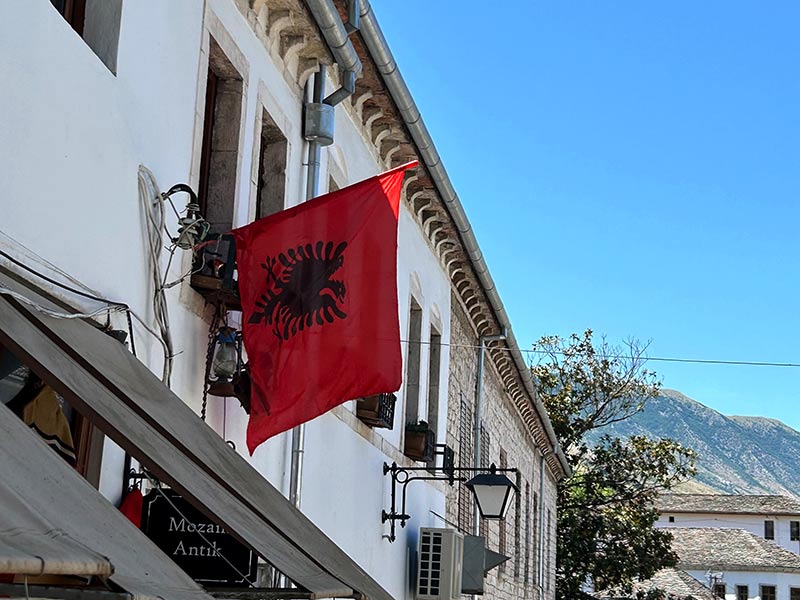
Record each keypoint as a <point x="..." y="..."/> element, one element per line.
<point x="220" y="152"/>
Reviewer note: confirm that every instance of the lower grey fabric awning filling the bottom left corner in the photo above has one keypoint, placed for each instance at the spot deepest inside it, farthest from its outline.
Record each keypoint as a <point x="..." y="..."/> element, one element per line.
<point x="52" y="522"/>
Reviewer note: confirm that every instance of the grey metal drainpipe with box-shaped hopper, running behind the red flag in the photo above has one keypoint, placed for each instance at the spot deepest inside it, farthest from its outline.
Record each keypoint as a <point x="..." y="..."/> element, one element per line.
<point x="318" y="131"/>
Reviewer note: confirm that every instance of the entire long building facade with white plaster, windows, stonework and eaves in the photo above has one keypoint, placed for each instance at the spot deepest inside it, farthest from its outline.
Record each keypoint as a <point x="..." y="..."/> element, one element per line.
<point x="212" y="94"/>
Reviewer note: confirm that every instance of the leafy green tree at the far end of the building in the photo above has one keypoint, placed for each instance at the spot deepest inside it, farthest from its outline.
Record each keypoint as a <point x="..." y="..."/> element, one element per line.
<point x="605" y="510"/>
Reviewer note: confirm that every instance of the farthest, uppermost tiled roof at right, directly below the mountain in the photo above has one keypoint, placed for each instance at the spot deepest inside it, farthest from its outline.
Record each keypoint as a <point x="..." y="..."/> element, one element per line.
<point x="728" y="503"/>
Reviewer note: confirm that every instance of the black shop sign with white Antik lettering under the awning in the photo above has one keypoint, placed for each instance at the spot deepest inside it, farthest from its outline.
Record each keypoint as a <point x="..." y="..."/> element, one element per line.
<point x="205" y="550"/>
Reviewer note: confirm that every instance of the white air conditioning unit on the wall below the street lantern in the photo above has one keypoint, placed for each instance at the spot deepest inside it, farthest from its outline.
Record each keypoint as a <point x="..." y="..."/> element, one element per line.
<point x="440" y="556"/>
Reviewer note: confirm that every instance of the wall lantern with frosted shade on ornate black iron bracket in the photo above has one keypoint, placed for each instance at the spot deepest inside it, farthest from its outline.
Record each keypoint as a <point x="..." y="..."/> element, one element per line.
<point x="492" y="489"/>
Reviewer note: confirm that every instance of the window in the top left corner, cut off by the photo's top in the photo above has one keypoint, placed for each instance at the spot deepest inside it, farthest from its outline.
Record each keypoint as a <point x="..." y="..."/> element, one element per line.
<point x="97" y="22"/>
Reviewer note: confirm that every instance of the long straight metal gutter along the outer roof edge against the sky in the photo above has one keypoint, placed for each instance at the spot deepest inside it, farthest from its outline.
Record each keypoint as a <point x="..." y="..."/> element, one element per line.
<point x="382" y="56"/>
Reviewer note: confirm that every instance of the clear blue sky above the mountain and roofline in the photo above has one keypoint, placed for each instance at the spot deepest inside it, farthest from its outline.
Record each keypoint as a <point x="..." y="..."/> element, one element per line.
<point x="630" y="167"/>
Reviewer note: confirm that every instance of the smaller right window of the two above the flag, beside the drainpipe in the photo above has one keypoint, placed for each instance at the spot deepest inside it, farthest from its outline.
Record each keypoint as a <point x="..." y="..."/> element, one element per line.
<point x="271" y="178"/>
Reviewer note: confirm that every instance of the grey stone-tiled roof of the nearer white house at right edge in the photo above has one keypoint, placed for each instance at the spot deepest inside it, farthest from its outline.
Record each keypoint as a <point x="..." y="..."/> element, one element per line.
<point x="702" y="548"/>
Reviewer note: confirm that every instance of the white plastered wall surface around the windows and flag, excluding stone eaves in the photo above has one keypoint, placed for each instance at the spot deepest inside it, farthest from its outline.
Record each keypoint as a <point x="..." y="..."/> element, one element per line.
<point x="74" y="136"/>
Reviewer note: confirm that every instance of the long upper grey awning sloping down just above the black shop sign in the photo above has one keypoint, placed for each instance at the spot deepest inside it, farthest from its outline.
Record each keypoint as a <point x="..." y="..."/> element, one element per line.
<point x="98" y="376"/>
